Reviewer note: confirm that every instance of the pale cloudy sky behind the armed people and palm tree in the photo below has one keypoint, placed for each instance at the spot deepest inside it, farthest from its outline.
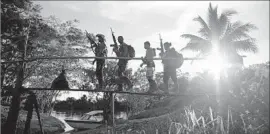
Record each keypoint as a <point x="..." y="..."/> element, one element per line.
<point x="140" y="21"/>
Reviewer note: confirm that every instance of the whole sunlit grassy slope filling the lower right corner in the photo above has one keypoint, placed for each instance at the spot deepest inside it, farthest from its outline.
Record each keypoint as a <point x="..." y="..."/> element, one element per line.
<point x="242" y="107"/>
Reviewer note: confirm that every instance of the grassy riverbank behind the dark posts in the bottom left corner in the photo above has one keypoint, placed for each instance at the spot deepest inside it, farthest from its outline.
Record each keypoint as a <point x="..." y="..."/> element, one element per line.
<point x="50" y="124"/>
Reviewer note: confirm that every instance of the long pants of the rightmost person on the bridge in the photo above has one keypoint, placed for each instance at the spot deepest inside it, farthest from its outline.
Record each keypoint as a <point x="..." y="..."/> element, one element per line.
<point x="169" y="73"/>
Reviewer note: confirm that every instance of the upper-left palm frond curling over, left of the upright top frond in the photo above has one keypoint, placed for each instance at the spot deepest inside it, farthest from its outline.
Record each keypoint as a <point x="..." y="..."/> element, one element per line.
<point x="204" y="30"/>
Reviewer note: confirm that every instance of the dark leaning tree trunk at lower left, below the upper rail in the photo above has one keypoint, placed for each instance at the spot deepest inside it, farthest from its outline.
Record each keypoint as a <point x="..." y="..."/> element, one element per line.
<point x="10" y="126"/>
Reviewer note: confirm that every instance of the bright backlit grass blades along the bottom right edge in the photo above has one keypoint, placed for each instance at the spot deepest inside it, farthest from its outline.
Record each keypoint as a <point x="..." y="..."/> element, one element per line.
<point x="194" y="124"/>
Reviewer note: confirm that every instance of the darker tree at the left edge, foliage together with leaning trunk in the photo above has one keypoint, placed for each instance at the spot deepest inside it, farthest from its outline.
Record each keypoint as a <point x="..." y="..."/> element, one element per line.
<point x="21" y="26"/>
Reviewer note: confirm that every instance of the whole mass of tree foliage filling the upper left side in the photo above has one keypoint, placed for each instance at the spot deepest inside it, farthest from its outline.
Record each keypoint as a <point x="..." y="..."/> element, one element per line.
<point x="46" y="37"/>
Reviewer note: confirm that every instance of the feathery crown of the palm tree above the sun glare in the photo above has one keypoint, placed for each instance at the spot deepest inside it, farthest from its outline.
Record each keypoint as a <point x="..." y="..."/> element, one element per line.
<point x="229" y="38"/>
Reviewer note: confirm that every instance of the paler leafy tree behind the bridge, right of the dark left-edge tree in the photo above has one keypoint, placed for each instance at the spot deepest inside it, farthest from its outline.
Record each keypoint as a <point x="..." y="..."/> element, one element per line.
<point x="69" y="43"/>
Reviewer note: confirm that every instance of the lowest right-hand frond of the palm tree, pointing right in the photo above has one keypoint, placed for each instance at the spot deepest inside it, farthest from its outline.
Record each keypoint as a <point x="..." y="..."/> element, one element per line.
<point x="247" y="45"/>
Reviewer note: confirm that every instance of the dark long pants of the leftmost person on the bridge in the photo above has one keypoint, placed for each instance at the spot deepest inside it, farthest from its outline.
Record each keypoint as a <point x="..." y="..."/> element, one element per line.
<point x="99" y="72"/>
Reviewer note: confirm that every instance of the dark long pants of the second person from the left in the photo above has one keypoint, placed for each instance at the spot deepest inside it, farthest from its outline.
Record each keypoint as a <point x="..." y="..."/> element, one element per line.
<point x="122" y="64"/>
